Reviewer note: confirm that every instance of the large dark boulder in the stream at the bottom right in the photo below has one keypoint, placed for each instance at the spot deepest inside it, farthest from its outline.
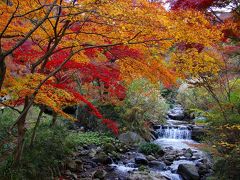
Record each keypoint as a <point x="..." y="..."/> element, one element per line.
<point x="188" y="172"/>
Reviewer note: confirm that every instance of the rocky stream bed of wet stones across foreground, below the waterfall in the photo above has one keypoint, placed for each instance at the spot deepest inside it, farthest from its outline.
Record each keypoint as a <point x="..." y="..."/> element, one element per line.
<point x="133" y="165"/>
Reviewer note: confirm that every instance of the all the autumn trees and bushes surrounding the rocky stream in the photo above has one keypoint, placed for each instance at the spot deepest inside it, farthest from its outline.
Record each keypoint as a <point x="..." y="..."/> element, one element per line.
<point x="79" y="73"/>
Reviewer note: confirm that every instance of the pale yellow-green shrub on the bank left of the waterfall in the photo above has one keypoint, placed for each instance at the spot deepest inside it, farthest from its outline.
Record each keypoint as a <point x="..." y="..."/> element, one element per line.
<point x="143" y="106"/>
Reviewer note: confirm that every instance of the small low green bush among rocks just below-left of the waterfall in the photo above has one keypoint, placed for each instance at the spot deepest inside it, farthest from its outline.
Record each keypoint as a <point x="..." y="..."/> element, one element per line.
<point x="150" y="148"/>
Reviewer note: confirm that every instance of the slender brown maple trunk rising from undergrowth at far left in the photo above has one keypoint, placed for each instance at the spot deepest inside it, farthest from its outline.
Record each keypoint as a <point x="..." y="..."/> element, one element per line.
<point x="21" y="133"/>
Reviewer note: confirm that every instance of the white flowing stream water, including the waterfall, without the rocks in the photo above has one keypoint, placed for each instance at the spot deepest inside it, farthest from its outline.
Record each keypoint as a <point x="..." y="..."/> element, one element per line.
<point x="176" y="135"/>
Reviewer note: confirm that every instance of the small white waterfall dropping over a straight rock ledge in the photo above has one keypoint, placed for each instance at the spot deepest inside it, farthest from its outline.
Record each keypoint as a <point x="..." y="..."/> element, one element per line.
<point x="174" y="132"/>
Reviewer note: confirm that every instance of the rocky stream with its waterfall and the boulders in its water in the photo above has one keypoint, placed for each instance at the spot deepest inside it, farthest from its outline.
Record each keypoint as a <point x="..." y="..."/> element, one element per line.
<point x="175" y="139"/>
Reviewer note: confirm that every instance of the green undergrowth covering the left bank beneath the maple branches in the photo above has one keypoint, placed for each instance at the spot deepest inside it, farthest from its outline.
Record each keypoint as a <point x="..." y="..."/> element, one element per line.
<point x="50" y="149"/>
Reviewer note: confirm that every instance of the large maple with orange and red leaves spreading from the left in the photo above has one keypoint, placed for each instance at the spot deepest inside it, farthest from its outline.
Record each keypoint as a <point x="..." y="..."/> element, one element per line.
<point x="44" y="43"/>
